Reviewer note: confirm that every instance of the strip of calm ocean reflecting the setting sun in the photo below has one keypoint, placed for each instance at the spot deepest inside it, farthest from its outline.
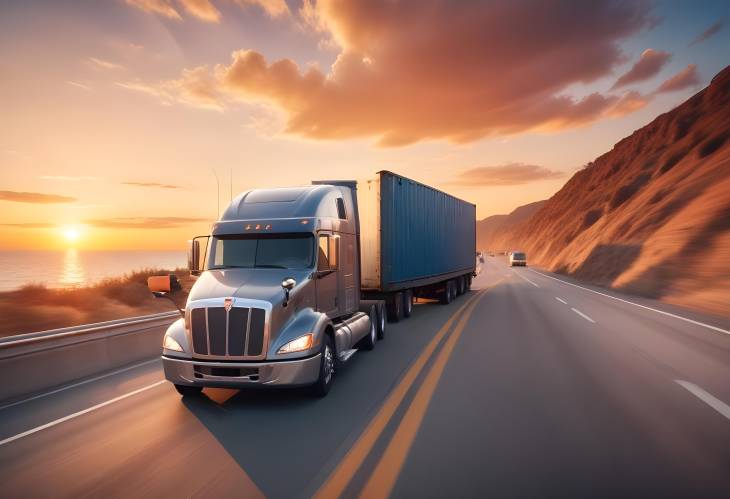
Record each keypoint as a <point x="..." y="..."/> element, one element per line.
<point x="77" y="268"/>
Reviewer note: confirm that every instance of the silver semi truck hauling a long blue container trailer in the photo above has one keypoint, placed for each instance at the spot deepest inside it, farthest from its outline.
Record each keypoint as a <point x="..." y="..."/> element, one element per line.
<point x="291" y="282"/>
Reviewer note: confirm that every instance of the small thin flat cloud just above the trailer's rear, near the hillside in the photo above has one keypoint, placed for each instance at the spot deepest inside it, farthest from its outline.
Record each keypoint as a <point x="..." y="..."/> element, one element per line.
<point x="509" y="174"/>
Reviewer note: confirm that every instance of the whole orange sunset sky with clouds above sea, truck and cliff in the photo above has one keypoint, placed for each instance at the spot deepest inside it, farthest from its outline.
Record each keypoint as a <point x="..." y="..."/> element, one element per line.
<point x="126" y="124"/>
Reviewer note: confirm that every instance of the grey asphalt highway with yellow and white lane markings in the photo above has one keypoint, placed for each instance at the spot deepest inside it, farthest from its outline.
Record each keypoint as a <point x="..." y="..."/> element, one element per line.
<point x="528" y="386"/>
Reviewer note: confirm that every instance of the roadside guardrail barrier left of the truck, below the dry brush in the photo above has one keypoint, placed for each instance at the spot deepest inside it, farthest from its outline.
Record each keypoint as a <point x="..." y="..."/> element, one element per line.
<point x="35" y="362"/>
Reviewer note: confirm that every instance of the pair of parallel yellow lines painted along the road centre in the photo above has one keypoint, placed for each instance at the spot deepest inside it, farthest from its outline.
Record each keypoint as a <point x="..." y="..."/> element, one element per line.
<point x="386" y="472"/>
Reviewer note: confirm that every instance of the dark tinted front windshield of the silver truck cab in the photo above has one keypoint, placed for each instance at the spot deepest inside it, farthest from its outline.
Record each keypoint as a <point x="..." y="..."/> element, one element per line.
<point x="273" y="251"/>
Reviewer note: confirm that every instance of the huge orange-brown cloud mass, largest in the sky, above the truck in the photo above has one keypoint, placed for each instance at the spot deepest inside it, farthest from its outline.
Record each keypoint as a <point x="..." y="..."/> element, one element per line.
<point x="457" y="71"/>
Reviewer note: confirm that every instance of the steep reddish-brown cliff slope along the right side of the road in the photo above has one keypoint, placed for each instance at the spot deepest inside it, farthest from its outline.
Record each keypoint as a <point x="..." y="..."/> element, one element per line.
<point x="652" y="216"/>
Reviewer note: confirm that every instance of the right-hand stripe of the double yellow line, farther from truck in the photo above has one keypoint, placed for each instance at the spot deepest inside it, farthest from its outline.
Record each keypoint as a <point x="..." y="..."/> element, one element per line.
<point x="386" y="473"/>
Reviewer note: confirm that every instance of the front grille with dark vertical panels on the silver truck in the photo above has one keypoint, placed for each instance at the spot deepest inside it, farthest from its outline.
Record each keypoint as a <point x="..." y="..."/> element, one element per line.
<point x="238" y="332"/>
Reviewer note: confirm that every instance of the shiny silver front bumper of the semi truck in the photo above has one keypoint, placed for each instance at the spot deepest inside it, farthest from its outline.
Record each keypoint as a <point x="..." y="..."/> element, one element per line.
<point x="298" y="372"/>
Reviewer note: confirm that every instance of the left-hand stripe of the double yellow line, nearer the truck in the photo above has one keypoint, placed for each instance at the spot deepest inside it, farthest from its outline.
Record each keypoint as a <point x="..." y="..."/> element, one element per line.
<point x="336" y="483"/>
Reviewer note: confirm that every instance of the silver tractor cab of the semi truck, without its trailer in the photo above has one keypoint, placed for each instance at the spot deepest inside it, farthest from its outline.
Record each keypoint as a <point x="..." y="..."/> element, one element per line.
<point x="277" y="300"/>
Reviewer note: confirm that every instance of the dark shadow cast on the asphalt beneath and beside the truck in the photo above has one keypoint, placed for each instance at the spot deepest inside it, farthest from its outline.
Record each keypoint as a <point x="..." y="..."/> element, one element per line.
<point x="286" y="440"/>
